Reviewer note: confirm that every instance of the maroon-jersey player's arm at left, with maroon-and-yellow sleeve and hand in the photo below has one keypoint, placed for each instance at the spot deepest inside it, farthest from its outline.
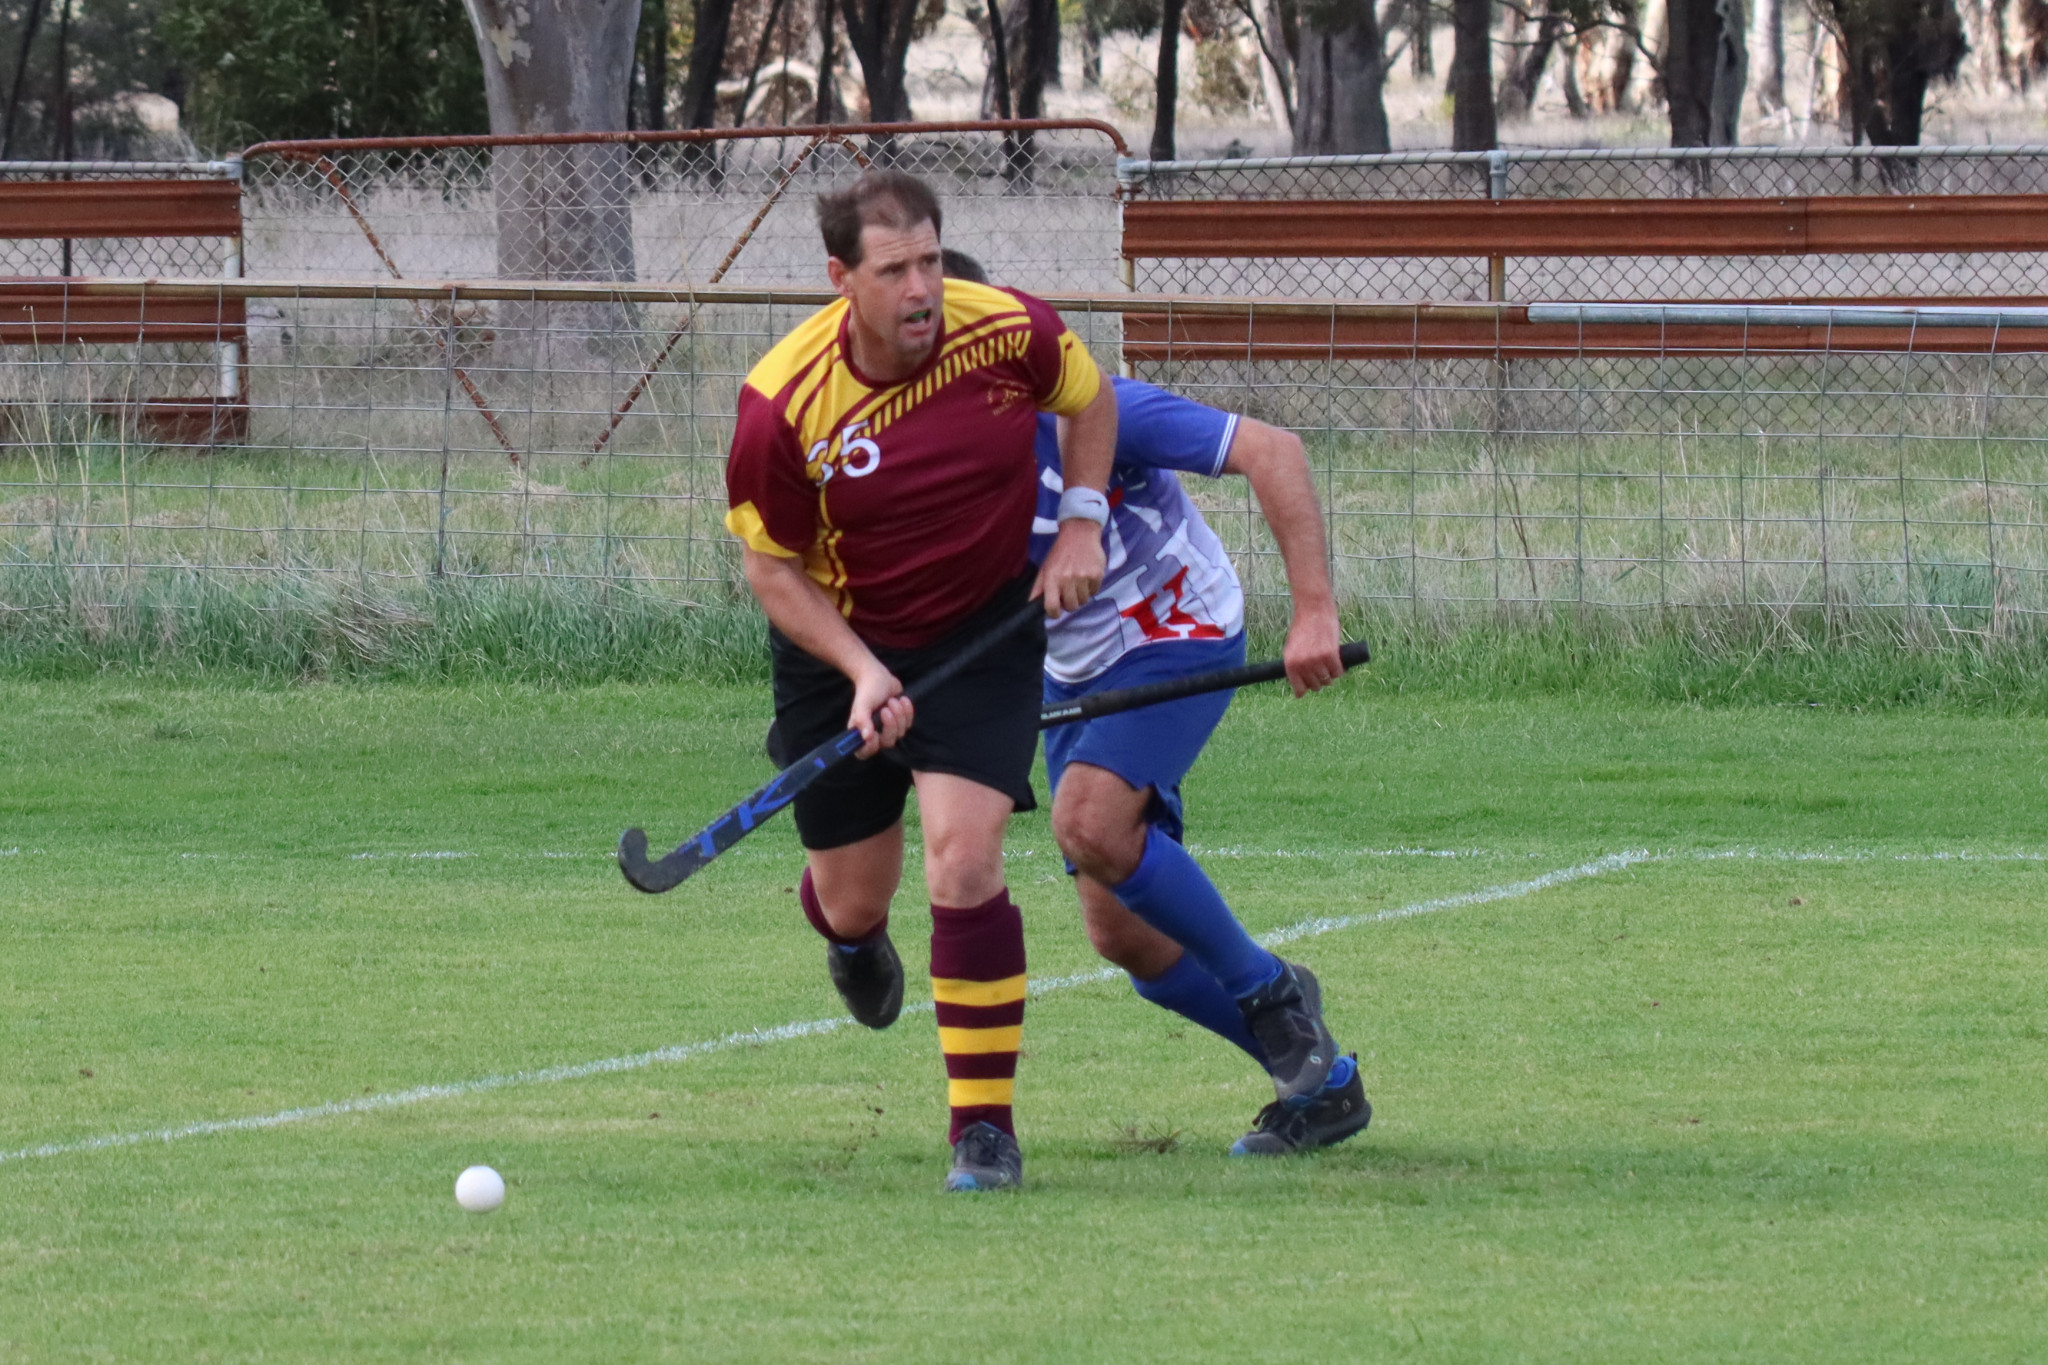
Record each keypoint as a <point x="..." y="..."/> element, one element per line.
<point x="773" y="509"/>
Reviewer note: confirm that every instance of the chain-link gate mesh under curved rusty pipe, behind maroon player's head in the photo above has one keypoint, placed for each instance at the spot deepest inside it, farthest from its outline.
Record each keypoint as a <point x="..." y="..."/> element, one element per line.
<point x="1035" y="204"/>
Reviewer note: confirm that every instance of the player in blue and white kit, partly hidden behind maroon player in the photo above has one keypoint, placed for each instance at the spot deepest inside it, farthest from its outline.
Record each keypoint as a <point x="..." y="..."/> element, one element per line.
<point x="1170" y="607"/>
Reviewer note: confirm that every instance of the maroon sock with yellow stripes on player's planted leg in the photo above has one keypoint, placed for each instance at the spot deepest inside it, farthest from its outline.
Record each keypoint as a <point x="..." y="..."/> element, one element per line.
<point x="978" y="985"/>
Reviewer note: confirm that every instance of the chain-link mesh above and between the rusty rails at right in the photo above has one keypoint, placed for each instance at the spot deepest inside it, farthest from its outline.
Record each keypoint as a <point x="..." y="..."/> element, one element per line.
<point x="1654" y="271"/>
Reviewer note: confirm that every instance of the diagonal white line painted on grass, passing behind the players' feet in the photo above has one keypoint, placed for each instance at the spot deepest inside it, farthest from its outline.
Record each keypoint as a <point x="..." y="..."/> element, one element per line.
<point x="681" y="1053"/>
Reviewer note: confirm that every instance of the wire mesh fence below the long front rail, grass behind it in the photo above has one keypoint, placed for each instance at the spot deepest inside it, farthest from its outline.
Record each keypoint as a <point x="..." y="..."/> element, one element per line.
<point x="1687" y="474"/>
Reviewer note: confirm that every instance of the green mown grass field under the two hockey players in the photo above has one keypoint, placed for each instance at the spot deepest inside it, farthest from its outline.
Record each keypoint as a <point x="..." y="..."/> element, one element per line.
<point x="1775" y="1090"/>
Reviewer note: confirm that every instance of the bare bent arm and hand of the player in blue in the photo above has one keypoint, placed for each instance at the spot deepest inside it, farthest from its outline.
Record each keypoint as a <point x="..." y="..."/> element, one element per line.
<point x="1277" y="468"/>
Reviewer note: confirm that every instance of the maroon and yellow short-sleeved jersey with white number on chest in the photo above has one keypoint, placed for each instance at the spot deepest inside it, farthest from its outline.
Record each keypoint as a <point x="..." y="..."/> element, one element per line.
<point x="910" y="504"/>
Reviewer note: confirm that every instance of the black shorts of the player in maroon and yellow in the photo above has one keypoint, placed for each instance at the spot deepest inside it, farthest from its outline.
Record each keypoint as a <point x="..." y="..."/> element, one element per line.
<point x="982" y="725"/>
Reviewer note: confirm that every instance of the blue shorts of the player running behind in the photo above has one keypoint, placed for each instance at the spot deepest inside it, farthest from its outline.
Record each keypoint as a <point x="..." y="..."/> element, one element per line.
<point x="1154" y="746"/>
